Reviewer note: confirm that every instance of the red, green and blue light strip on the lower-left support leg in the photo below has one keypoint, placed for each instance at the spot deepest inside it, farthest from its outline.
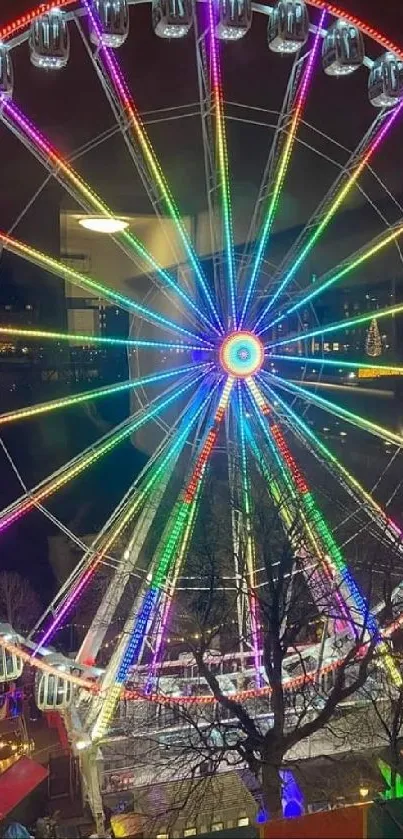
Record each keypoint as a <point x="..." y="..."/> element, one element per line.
<point x="177" y="529"/>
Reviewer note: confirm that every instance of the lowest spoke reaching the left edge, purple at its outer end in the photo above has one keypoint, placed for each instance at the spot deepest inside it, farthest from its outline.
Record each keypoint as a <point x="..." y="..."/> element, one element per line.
<point x="79" y="464"/>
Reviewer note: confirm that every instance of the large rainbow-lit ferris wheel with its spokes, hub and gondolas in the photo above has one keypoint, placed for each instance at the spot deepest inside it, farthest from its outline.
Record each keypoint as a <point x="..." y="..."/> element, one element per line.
<point x="234" y="325"/>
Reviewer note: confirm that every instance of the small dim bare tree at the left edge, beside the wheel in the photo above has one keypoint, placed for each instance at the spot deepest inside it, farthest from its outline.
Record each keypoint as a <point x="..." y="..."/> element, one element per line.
<point x="19" y="604"/>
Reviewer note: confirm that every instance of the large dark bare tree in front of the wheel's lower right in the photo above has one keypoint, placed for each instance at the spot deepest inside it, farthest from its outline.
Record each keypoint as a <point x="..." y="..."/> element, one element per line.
<point x="295" y="601"/>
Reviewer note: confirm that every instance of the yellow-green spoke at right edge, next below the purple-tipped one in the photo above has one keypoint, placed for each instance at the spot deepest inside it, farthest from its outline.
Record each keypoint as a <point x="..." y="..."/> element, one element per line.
<point x="350" y="264"/>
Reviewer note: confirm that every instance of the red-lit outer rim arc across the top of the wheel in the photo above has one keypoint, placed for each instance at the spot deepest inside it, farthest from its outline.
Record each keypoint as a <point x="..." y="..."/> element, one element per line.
<point x="24" y="20"/>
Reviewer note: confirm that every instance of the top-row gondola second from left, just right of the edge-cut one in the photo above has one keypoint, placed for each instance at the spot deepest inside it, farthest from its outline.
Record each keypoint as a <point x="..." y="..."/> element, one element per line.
<point x="49" y="41"/>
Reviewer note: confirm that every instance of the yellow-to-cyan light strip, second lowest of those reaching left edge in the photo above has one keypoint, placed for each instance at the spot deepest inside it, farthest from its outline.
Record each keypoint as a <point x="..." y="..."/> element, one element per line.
<point x="97" y="393"/>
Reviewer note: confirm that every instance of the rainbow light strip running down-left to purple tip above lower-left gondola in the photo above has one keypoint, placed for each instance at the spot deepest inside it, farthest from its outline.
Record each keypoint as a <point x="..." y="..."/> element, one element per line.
<point x="140" y="495"/>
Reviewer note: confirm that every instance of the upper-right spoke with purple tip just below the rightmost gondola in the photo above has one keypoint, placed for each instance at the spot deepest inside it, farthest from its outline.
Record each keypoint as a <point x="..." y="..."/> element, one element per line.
<point x="324" y="214"/>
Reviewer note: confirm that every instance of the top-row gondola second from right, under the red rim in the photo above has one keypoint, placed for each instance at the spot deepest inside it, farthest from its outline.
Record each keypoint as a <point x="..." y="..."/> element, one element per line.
<point x="343" y="49"/>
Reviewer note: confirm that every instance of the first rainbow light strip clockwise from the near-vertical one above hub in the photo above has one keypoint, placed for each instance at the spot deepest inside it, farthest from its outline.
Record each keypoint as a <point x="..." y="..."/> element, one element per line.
<point x="283" y="167"/>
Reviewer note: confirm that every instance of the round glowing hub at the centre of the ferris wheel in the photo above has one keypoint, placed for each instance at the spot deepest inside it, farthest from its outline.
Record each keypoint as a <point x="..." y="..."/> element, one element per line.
<point x="241" y="354"/>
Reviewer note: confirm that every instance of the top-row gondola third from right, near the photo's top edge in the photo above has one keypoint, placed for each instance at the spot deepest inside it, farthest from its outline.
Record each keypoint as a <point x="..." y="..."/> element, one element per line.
<point x="288" y="27"/>
